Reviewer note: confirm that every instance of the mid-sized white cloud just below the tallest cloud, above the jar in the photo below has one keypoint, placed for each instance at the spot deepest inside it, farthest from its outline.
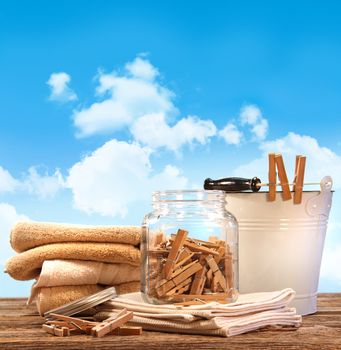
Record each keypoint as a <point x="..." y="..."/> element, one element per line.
<point x="153" y="130"/>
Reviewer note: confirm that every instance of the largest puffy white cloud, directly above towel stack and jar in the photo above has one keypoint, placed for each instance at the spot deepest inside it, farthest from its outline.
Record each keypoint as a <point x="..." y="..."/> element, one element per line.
<point x="117" y="175"/>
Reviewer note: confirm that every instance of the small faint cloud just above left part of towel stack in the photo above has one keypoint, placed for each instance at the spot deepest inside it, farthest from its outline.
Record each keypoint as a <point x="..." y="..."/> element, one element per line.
<point x="43" y="185"/>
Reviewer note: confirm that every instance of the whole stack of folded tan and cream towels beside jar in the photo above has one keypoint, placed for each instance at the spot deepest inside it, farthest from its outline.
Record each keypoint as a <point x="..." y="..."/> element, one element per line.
<point x="72" y="261"/>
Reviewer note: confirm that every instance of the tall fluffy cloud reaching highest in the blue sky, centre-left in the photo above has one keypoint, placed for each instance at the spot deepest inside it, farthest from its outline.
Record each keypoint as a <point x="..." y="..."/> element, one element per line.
<point x="126" y="98"/>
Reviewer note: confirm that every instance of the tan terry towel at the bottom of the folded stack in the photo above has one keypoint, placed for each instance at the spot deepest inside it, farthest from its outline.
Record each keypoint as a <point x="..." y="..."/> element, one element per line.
<point x="49" y="298"/>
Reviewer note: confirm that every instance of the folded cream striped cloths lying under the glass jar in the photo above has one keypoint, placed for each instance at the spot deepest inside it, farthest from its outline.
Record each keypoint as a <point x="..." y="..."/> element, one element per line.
<point x="250" y="312"/>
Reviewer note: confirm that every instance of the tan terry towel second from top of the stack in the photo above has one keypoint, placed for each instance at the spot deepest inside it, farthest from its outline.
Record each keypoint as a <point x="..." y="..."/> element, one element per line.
<point x="27" y="265"/>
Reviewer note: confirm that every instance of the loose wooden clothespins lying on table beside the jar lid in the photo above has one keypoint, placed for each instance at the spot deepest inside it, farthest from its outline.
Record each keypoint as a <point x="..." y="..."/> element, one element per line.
<point x="63" y="326"/>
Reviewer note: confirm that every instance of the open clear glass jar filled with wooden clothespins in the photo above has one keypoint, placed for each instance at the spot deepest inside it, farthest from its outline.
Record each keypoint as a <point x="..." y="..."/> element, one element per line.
<point x="189" y="249"/>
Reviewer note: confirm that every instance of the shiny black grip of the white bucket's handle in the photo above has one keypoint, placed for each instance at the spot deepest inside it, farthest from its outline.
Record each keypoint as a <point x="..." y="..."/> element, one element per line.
<point x="233" y="184"/>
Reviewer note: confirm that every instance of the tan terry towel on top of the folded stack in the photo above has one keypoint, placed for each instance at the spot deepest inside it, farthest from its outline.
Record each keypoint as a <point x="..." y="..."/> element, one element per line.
<point x="27" y="235"/>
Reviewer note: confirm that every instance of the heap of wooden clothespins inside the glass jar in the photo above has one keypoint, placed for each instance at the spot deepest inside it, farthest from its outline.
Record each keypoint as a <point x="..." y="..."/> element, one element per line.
<point x="184" y="269"/>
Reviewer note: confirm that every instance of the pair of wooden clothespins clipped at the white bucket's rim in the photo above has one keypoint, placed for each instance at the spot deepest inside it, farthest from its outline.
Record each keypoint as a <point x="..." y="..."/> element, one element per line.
<point x="276" y="160"/>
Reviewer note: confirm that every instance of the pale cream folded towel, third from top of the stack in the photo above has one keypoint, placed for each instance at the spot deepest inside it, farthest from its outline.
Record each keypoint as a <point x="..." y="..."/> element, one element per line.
<point x="78" y="272"/>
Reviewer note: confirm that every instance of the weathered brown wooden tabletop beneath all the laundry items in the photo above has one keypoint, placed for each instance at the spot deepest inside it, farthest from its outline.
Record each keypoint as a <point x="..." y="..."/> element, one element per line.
<point x="20" y="328"/>
